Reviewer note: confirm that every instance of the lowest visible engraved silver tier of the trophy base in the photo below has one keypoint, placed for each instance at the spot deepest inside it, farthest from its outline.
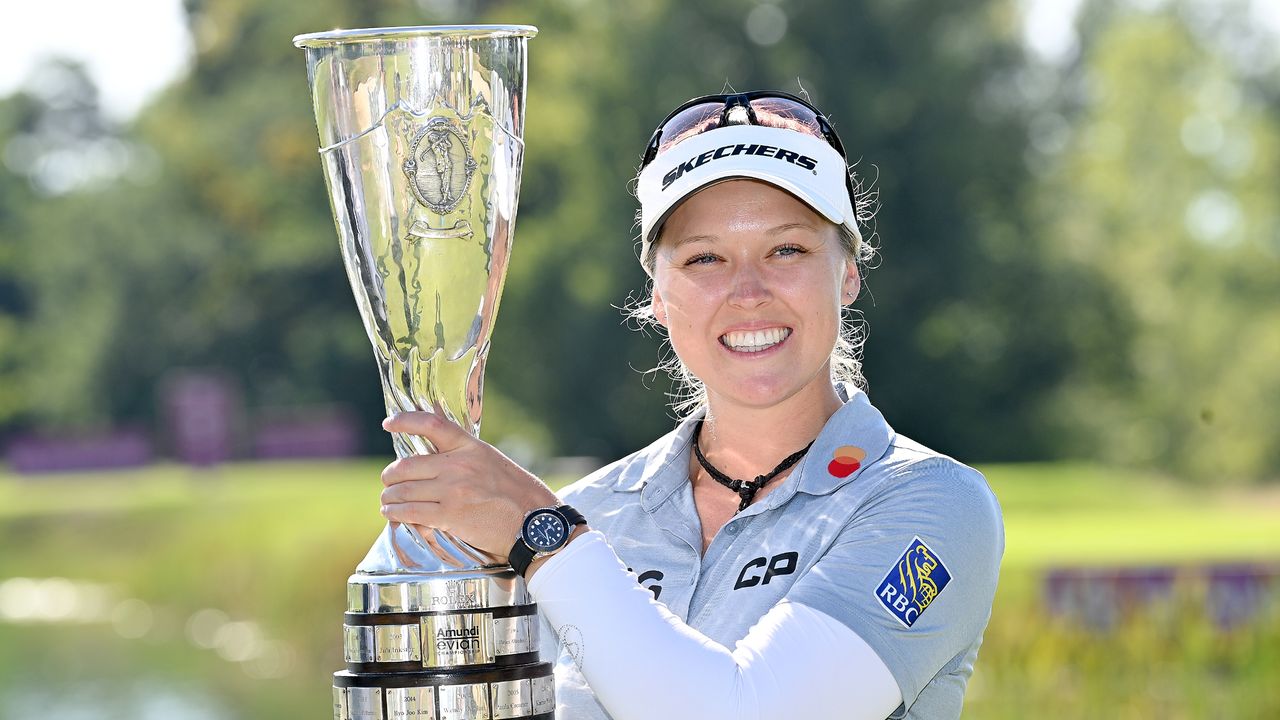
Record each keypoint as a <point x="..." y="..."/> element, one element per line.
<point x="524" y="692"/>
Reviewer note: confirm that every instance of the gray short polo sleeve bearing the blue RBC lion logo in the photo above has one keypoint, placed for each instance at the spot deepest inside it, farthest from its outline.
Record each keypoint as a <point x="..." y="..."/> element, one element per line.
<point x="915" y="566"/>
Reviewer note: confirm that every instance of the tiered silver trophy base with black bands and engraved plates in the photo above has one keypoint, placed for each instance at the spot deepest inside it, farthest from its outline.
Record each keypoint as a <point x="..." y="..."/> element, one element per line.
<point x="459" y="645"/>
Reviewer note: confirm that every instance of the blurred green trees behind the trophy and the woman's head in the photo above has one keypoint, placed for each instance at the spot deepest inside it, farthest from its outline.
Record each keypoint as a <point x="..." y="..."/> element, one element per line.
<point x="1077" y="258"/>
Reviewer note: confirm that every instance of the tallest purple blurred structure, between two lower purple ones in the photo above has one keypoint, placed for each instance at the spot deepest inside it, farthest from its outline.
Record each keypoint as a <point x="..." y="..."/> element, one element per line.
<point x="202" y="412"/>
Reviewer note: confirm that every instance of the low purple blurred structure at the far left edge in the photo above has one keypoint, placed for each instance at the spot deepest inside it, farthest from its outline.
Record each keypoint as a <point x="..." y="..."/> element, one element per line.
<point x="113" y="450"/>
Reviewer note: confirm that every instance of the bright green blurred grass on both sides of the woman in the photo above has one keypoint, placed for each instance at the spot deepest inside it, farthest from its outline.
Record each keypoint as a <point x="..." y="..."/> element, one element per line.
<point x="275" y="543"/>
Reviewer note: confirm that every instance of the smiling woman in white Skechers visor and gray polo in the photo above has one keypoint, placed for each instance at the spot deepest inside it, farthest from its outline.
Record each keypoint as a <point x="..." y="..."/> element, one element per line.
<point x="783" y="553"/>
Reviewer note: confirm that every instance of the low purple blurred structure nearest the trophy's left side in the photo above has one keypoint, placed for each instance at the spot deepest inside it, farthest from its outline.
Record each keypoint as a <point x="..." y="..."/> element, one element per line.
<point x="307" y="432"/>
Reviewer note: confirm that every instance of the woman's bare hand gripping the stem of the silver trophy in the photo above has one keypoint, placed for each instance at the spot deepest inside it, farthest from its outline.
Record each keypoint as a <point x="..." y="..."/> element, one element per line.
<point x="468" y="489"/>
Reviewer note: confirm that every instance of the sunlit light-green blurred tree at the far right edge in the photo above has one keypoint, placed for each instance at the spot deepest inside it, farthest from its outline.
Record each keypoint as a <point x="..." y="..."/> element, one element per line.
<point x="1164" y="198"/>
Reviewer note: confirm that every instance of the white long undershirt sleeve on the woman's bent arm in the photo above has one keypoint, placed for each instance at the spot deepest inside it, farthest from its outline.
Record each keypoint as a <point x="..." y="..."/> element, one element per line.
<point x="643" y="662"/>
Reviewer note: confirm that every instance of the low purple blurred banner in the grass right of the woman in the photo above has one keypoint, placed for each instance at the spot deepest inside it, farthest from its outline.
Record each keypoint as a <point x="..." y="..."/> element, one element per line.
<point x="1103" y="598"/>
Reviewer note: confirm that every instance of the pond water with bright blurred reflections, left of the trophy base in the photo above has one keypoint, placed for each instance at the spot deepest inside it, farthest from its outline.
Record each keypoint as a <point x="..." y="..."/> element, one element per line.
<point x="63" y="658"/>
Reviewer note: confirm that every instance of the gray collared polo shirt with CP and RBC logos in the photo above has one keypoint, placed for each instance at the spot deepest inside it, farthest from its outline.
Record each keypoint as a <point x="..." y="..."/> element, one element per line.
<point x="898" y="543"/>
